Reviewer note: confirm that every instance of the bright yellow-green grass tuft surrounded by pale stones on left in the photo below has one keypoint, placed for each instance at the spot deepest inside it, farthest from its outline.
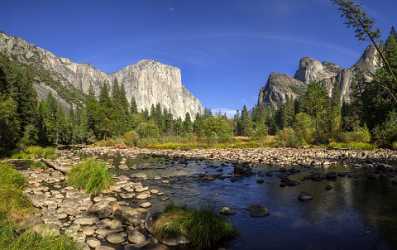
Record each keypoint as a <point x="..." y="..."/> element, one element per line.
<point x="91" y="175"/>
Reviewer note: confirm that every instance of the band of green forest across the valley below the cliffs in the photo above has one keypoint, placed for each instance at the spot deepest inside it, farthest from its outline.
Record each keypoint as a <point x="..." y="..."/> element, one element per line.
<point x="314" y="118"/>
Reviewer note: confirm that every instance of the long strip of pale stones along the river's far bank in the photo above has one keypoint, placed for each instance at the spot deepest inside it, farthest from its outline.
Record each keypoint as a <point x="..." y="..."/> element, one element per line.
<point x="281" y="157"/>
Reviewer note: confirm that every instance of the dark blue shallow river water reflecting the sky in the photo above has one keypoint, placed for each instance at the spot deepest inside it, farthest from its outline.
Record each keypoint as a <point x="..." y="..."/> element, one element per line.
<point x="360" y="212"/>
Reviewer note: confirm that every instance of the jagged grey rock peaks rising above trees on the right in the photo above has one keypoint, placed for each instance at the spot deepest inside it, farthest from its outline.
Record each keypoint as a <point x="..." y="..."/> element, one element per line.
<point x="279" y="87"/>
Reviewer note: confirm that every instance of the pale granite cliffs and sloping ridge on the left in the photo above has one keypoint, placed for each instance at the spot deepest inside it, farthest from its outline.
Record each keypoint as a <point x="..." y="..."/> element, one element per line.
<point x="149" y="82"/>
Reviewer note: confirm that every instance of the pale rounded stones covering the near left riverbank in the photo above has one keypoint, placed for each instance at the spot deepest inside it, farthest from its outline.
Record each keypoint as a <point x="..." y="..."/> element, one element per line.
<point x="114" y="219"/>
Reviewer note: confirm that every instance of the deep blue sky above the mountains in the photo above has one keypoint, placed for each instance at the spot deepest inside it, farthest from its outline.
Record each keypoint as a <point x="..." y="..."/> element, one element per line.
<point x="225" y="48"/>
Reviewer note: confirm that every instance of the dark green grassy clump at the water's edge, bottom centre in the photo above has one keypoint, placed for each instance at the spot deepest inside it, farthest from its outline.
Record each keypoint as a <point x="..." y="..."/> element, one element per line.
<point x="204" y="228"/>
